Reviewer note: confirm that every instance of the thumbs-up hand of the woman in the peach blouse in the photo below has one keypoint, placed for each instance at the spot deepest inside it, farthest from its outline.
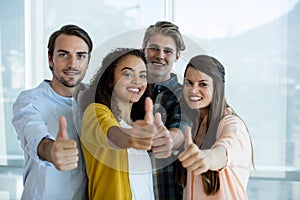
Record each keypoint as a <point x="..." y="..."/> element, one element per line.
<point x="193" y="159"/>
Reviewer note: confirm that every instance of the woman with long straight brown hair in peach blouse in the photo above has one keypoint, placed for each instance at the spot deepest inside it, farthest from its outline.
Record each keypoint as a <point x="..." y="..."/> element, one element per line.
<point x="219" y="158"/>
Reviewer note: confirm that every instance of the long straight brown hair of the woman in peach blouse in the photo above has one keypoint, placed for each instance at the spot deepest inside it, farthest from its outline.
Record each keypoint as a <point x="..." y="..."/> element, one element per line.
<point x="213" y="68"/>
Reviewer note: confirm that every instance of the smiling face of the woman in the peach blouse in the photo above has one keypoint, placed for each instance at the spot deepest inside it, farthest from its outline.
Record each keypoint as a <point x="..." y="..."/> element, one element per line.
<point x="197" y="89"/>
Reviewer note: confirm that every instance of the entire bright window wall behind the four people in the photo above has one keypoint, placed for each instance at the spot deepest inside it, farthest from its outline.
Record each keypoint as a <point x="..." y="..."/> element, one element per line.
<point x="257" y="41"/>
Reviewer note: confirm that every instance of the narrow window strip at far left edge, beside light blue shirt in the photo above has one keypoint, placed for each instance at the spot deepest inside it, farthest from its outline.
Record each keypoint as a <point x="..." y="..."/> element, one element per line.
<point x="12" y="50"/>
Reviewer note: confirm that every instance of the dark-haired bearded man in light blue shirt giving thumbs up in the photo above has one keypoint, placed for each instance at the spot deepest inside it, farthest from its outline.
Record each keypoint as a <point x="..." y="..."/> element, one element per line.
<point x="54" y="165"/>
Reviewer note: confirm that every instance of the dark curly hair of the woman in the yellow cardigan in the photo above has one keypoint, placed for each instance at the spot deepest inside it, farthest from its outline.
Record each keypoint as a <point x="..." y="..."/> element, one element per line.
<point x="101" y="87"/>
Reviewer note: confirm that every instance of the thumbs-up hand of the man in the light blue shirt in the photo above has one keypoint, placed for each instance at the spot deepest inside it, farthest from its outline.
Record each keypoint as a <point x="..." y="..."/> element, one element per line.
<point x="64" y="152"/>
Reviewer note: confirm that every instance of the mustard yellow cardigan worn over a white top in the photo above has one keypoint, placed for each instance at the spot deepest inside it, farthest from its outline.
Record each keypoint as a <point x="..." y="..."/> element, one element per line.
<point x="107" y="167"/>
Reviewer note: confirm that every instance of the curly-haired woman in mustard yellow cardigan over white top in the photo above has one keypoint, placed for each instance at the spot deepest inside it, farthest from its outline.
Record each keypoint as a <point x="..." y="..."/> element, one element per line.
<point x="115" y="148"/>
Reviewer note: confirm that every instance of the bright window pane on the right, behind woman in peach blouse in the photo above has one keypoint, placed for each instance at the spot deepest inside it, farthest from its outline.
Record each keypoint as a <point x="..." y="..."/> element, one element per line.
<point x="258" y="44"/>
